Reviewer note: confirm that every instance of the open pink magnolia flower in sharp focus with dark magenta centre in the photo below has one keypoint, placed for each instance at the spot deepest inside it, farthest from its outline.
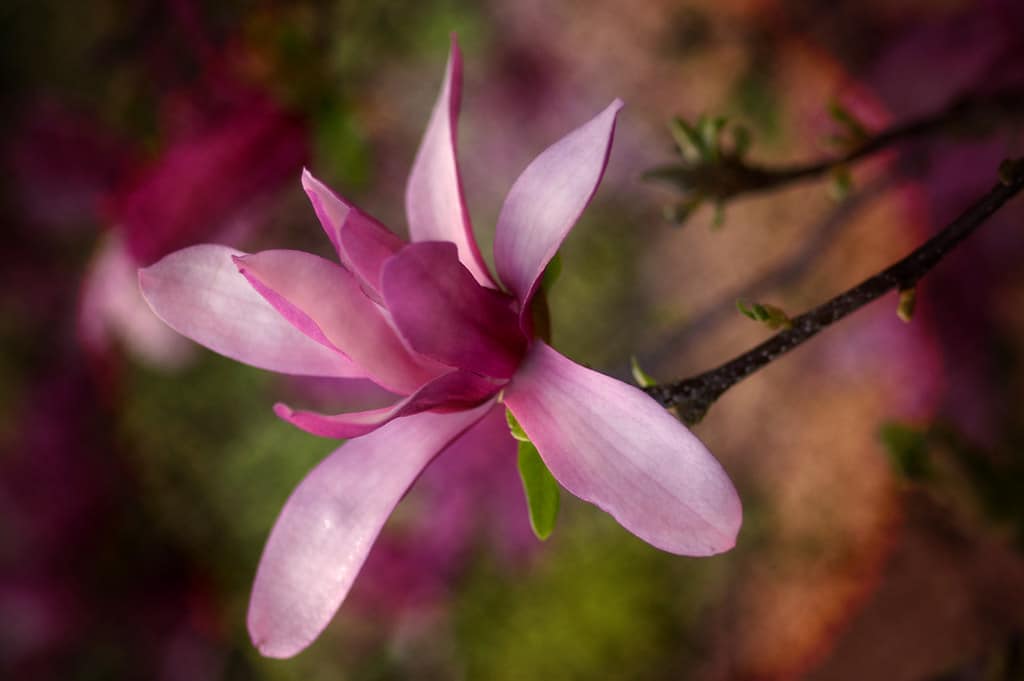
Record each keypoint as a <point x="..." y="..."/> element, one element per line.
<point x="429" y="322"/>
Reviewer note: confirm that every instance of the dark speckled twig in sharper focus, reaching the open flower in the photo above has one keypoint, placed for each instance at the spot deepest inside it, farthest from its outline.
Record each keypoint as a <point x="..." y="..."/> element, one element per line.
<point x="694" y="397"/>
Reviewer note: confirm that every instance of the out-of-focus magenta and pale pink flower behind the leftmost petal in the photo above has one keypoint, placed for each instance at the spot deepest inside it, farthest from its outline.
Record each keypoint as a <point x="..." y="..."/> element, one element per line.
<point x="209" y="185"/>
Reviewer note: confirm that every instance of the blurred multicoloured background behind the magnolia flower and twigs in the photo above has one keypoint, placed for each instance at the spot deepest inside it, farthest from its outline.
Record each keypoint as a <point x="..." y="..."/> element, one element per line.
<point x="880" y="465"/>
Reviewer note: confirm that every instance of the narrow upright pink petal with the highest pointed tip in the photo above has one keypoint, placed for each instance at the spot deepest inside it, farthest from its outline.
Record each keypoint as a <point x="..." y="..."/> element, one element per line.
<point x="435" y="203"/>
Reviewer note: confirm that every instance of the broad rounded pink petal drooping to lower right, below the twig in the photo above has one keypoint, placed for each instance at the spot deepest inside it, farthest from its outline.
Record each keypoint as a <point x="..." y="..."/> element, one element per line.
<point x="610" y="444"/>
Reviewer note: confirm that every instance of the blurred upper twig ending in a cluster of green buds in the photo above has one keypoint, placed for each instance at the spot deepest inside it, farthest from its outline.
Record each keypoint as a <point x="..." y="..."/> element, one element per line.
<point x="731" y="177"/>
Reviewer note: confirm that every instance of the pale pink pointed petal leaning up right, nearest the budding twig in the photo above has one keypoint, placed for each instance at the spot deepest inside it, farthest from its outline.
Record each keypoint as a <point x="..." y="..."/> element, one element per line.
<point x="547" y="200"/>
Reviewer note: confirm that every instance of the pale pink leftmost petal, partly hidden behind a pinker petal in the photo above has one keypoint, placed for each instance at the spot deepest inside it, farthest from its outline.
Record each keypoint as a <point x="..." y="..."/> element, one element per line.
<point x="199" y="293"/>
